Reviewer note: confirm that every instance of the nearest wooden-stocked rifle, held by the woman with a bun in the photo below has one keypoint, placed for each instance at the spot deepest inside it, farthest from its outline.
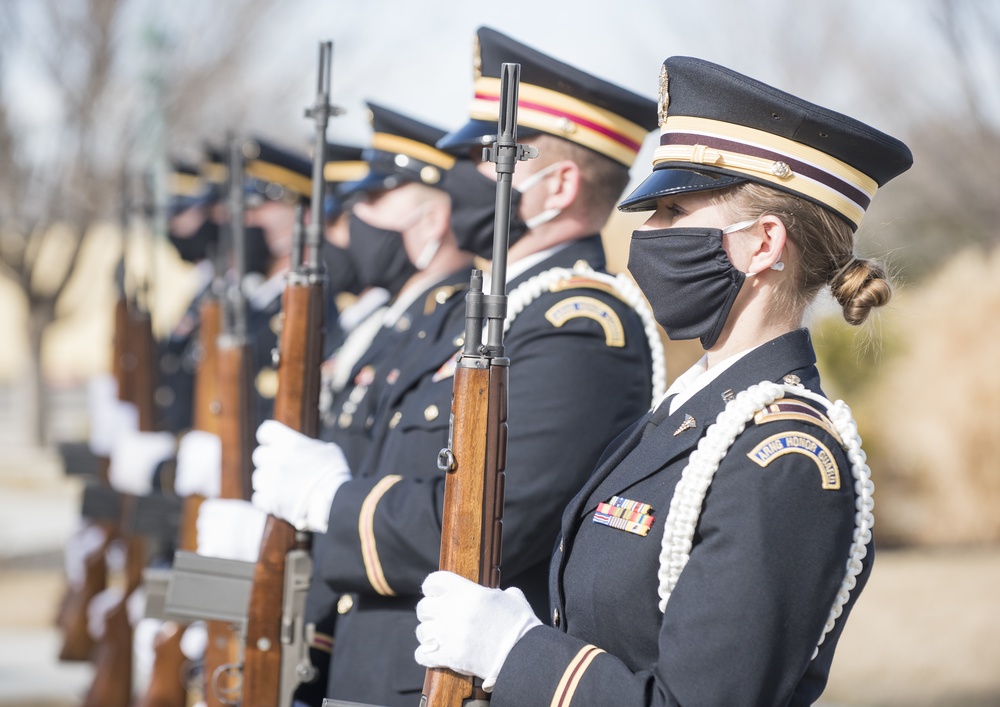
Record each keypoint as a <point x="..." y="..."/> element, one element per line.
<point x="474" y="461"/>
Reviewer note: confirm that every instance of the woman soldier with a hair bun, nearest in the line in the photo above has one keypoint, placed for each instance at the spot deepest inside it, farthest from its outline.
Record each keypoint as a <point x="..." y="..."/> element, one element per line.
<point x="716" y="552"/>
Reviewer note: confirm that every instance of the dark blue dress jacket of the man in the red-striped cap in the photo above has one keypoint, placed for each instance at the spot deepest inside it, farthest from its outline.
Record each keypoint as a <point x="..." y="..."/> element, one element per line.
<point x="570" y="394"/>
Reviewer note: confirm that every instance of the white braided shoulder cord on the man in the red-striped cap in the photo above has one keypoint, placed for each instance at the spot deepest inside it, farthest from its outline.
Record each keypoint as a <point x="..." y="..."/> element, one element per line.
<point x="532" y="288"/>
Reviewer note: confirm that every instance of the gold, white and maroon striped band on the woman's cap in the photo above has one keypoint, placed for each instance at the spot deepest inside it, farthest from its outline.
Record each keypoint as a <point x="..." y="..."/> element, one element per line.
<point x="767" y="157"/>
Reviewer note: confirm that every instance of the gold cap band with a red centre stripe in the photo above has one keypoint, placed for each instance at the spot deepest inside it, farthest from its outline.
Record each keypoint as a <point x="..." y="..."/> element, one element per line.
<point x="570" y="118"/>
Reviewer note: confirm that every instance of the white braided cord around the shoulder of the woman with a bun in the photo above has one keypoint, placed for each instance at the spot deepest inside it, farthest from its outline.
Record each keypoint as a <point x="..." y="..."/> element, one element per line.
<point x="689" y="494"/>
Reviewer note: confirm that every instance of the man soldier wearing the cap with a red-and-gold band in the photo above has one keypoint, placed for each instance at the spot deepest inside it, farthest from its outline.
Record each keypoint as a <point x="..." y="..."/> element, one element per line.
<point x="581" y="367"/>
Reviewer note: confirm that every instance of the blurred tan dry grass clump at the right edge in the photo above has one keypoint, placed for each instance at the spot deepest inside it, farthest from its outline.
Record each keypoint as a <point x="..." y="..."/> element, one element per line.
<point x="931" y="418"/>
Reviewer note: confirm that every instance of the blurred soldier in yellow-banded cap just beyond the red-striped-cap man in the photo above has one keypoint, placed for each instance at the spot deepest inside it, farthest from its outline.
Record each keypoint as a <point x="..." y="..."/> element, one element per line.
<point x="400" y="241"/>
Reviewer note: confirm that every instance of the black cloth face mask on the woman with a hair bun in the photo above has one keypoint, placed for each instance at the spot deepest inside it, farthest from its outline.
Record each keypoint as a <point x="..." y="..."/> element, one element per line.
<point x="688" y="279"/>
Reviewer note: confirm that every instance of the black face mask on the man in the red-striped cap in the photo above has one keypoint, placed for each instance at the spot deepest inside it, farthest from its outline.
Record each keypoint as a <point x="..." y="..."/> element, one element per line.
<point x="473" y="206"/>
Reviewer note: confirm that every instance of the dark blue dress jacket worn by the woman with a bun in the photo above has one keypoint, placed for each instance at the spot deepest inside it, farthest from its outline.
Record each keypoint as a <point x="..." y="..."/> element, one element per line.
<point x="768" y="557"/>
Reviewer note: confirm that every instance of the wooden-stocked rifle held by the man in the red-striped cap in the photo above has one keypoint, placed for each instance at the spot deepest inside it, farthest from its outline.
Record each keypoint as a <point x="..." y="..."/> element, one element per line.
<point x="277" y="654"/>
